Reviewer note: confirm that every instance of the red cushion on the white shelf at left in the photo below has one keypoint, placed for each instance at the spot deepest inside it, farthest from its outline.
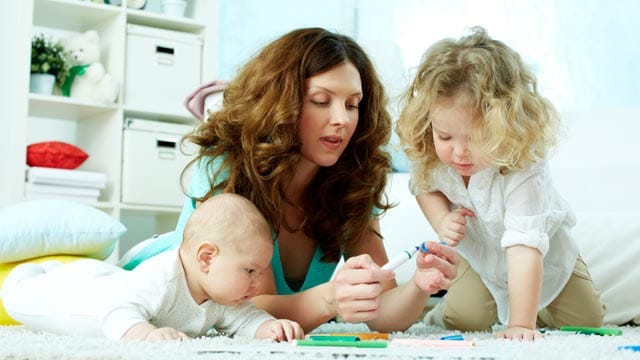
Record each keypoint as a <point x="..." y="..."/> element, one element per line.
<point x="55" y="154"/>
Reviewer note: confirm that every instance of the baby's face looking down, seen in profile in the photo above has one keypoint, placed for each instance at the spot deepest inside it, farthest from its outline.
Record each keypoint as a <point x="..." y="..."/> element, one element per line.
<point x="235" y="272"/>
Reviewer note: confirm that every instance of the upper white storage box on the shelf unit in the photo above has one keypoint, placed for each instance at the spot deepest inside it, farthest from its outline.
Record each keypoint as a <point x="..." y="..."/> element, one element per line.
<point x="162" y="68"/>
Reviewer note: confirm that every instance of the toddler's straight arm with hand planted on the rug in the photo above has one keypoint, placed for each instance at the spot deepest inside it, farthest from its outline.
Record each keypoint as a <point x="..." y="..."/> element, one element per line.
<point x="524" y="267"/>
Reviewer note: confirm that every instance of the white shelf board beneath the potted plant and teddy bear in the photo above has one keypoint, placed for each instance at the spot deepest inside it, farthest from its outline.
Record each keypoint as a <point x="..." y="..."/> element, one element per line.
<point x="61" y="107"/>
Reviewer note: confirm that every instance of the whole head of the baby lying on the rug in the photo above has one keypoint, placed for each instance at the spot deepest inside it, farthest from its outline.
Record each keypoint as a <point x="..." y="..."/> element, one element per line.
<point x="226" y="246"/>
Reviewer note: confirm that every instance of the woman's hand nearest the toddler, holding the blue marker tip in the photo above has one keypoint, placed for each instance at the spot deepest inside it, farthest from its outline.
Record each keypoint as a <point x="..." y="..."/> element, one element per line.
<point x="436" y="268"/>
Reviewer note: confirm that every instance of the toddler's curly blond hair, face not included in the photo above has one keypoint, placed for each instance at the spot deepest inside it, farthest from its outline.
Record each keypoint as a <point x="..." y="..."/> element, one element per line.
<point x="508" y="123"/>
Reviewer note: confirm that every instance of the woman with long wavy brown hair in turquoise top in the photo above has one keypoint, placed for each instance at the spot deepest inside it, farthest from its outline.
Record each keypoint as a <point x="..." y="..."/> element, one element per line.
<point x="301" y="134"/>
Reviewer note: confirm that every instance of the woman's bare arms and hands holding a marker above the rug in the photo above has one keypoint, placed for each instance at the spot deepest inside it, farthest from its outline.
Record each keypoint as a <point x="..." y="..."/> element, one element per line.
<point x="362" y="292"/>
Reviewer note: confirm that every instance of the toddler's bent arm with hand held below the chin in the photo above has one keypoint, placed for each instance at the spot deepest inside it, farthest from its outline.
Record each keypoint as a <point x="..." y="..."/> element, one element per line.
<point x="449" y="225"/>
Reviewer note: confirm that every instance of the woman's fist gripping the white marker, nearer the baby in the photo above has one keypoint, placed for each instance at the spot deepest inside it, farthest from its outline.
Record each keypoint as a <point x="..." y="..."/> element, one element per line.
<point x="357" y="287"/>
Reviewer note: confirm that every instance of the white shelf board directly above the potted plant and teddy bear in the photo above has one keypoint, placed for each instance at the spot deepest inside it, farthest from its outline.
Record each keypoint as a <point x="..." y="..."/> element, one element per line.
<point x="72" y="14"/>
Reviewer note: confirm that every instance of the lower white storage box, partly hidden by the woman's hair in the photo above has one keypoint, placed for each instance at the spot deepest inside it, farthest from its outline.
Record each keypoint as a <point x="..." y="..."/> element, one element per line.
<point x="152" y="162"/>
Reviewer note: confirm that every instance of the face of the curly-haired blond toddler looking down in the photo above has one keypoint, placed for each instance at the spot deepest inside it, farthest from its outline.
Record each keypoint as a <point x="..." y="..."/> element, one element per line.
<point x="451" y="125"/>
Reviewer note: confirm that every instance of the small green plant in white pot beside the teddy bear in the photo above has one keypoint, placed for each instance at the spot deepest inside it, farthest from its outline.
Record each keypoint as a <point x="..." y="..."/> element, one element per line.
<point x="48" y="64"/>
